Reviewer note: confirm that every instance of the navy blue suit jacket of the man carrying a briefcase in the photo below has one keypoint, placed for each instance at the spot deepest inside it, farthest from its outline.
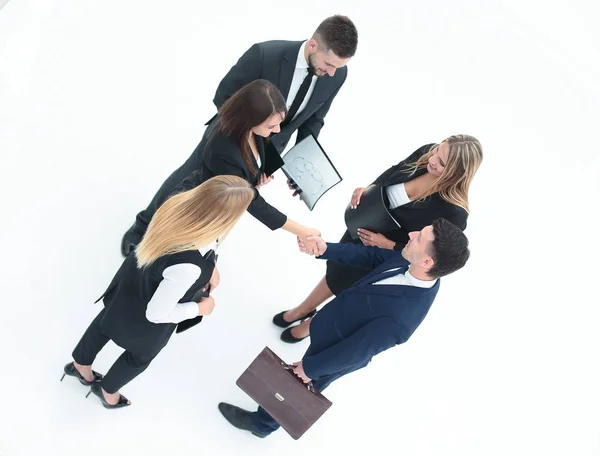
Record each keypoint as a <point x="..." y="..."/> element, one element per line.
<point x="365" y="319"/>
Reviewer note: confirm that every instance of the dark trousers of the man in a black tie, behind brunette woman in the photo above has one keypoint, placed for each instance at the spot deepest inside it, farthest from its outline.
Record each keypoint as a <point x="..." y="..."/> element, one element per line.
<point x="193" y="163"/>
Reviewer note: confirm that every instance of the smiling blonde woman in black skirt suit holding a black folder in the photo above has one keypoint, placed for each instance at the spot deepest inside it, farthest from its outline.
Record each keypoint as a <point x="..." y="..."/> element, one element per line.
<point x="433" y="182"/>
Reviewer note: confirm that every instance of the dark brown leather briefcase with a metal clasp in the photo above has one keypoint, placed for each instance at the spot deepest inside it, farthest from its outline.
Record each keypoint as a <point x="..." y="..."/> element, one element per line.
<point x="295" y="405"/>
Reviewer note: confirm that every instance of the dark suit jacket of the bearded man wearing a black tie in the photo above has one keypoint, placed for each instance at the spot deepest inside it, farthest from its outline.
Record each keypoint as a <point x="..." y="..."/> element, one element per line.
<point x="275" y="61"/>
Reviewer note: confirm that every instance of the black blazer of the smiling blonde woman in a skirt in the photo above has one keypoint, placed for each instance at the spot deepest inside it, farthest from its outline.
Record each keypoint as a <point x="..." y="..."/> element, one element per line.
<point x="415" y="215"/>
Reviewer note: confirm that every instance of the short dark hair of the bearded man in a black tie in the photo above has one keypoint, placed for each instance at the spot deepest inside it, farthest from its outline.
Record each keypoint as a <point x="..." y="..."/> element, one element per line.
<point x="339" y="34"/>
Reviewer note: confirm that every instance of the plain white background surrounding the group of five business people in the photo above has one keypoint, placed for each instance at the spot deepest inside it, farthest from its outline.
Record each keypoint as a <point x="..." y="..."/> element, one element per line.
<point x="101" y="100"/>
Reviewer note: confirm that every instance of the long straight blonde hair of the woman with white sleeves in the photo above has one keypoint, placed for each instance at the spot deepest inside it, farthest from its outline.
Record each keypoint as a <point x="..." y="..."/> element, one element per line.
<point x="193" y="219"/>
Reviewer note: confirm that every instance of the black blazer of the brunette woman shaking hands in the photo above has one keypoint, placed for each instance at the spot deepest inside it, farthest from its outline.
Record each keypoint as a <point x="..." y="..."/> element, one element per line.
<point x="222" y="156"/>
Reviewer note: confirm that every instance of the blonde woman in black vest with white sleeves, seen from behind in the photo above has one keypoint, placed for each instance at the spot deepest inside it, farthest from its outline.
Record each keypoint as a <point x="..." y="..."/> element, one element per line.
<point x="152" y="291"/>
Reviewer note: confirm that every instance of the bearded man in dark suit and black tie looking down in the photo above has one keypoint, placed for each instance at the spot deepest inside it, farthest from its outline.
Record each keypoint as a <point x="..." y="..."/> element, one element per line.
<point x="309" y="75"/>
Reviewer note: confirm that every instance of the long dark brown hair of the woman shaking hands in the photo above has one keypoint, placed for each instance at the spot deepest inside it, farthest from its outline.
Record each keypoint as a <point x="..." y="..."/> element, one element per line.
<point x="248" y="107"/>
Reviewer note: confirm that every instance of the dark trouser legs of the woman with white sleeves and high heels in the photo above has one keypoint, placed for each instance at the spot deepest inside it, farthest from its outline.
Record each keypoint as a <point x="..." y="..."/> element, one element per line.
<point x="126" y="367"/>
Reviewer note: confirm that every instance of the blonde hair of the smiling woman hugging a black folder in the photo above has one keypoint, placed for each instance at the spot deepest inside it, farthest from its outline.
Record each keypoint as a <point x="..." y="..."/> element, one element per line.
<point x="464" y="157"/>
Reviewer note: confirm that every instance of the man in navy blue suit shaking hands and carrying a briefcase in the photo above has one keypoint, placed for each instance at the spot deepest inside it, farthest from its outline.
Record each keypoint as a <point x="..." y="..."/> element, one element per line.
<point x="378" y="312"/>
